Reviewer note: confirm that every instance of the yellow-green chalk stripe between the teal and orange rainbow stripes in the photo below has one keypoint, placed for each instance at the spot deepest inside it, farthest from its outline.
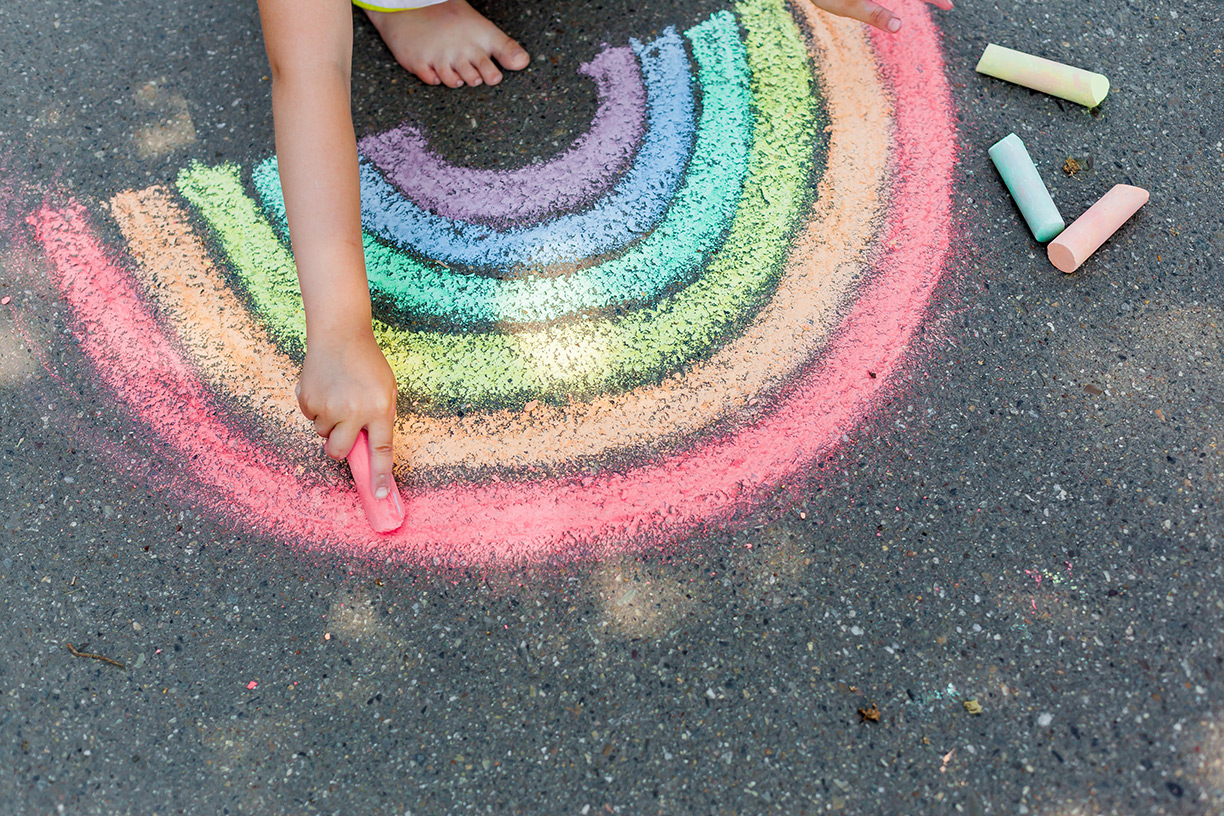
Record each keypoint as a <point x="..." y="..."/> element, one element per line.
<point x="446" y="373"/>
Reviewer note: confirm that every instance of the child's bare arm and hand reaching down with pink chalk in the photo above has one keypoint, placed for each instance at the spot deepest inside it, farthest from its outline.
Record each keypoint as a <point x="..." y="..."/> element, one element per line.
<point x="346" y="384"/>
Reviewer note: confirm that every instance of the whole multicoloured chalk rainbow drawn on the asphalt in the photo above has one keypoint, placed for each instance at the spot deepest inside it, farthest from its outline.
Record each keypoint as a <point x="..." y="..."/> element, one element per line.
<point x="611" y="348"/>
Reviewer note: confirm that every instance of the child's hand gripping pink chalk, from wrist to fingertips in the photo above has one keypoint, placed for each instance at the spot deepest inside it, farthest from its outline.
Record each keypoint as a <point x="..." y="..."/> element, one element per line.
<point x="348" y="386"/>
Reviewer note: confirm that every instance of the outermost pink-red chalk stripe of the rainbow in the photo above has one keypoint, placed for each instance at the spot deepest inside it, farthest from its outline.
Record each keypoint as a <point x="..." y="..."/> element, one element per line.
<point x="472" y="524"/>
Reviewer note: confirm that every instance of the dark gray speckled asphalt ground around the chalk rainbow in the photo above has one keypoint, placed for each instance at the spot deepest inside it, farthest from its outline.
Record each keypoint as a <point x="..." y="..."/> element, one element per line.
<point x="1034" y="523"/>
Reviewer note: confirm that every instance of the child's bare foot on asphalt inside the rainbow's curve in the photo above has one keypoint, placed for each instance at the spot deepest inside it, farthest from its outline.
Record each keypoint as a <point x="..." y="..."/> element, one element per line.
<point x="451" y="43"/>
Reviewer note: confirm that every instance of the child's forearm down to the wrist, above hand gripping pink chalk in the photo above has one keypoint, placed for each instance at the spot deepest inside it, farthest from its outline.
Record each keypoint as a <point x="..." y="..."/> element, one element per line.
<point x="310" y="50"/>
